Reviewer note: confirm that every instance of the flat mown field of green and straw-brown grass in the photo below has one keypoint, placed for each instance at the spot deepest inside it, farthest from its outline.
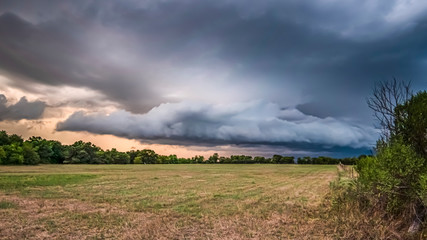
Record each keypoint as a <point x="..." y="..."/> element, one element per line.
<point x="164" y="201"/>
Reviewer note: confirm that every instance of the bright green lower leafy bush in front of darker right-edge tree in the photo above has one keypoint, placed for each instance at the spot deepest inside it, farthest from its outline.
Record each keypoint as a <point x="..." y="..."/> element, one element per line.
<point x="395" y="175"/>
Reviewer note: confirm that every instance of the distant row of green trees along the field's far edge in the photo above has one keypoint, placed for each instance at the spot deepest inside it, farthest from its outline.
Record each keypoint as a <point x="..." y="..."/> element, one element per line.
<point x="14" y="150"/>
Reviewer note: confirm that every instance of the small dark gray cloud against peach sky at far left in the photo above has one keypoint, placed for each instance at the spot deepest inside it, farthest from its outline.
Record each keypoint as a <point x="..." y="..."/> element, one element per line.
<point x="23" y="109"/>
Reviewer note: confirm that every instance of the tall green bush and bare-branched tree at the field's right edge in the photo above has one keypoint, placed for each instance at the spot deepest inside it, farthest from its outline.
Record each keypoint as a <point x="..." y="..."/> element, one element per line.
<point x="396" y="174"/>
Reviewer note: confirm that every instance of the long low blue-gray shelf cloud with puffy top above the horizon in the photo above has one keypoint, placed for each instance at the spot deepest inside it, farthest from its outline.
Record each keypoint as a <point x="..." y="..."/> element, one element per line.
<point x="257" y="122"/>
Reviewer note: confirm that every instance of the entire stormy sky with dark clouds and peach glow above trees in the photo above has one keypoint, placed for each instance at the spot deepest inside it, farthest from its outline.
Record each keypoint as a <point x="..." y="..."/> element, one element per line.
<point x="197" y="76"/>
